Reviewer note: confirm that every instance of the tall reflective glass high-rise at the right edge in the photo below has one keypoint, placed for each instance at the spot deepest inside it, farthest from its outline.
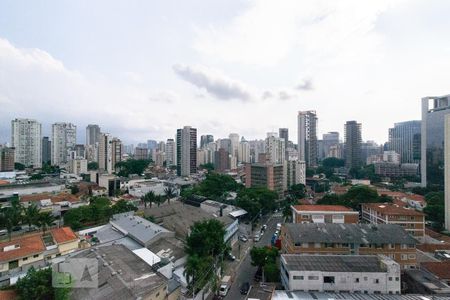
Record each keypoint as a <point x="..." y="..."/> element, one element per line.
<point x="434" y="110"/>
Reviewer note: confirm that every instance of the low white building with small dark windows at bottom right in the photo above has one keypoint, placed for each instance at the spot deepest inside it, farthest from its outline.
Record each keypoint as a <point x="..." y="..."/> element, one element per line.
<point x="362" y="274"/>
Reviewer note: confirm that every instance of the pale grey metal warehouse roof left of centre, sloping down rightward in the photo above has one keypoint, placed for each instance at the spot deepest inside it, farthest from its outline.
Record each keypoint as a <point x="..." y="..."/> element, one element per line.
<point x="136" y="227"/>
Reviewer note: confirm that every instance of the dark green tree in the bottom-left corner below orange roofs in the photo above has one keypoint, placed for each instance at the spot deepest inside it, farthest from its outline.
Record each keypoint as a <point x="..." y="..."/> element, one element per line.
<point x="37" y="285"/>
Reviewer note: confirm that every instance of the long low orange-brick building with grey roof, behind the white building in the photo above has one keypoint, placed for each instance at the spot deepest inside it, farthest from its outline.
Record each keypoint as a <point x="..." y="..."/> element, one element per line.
<point x="350" y="239"/>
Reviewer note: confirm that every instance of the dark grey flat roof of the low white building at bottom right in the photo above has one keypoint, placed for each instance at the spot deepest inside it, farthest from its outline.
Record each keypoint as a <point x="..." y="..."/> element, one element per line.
<point x="332" y="263"/>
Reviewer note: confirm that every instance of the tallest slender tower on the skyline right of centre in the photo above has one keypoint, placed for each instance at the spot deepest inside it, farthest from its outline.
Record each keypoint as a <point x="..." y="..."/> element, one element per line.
<point x="307" y="137"/>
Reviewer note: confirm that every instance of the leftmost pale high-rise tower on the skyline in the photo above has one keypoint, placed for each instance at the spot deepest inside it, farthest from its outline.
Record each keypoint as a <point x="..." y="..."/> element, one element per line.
<point x="26" y="139"/>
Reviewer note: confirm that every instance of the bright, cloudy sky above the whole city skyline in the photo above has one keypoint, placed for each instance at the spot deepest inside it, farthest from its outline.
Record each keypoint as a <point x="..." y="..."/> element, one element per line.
<point x="142" y="69"/>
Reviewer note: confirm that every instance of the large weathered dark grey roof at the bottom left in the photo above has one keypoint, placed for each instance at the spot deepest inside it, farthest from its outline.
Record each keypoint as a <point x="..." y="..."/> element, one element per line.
<point x="132" y="279"/>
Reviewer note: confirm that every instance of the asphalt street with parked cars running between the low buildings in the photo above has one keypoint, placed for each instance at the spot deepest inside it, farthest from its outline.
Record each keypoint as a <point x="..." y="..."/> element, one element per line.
<point x="246" y="271"/>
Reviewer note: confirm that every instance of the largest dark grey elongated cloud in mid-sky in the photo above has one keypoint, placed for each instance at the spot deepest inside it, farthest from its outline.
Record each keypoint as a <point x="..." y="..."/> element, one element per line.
<point x="214" y="82"/>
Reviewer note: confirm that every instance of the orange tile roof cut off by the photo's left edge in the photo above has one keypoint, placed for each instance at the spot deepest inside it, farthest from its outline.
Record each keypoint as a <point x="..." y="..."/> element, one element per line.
<point x="27" y="246"/>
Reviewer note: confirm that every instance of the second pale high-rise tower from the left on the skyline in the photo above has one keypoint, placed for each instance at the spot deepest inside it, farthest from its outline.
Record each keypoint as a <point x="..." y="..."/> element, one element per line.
<point x="64" y="137"/>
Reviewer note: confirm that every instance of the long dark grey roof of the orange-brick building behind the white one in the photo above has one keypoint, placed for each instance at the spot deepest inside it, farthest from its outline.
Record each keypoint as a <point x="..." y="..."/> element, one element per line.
<point x="349" y="233"/>
